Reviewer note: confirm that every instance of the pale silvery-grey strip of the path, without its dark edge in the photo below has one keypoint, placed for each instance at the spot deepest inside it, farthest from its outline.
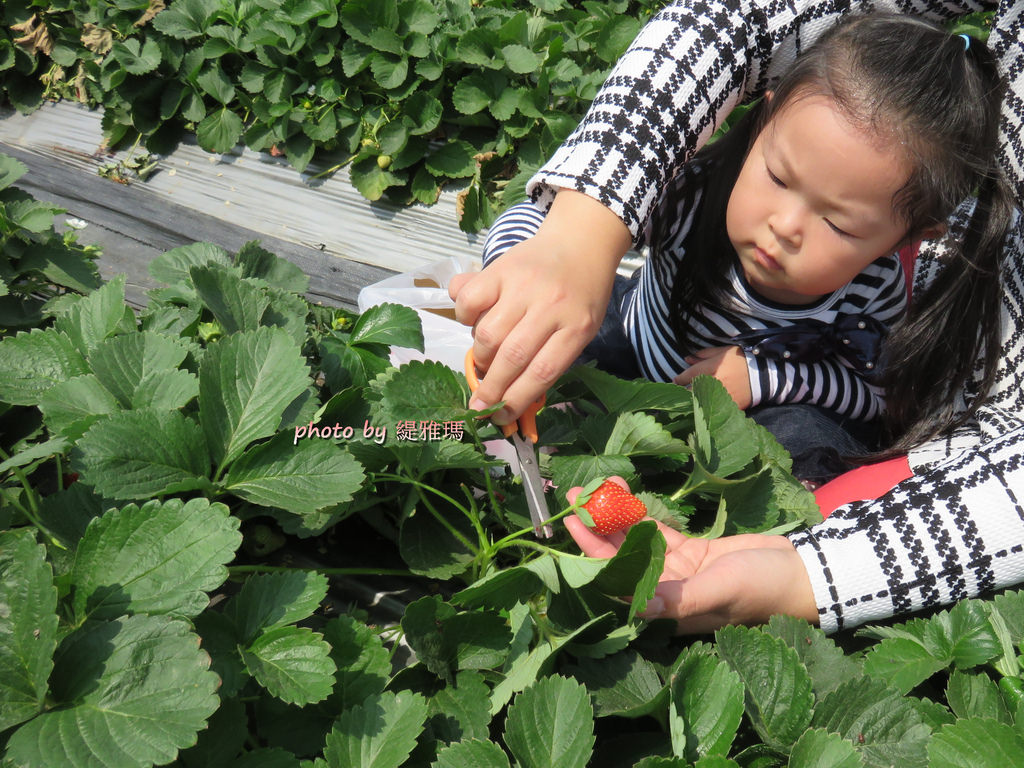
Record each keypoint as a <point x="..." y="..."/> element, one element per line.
<point x="262" y="194"/>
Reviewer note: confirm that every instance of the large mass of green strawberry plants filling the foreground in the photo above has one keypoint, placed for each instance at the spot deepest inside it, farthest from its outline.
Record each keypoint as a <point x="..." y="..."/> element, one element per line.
<point x="185" y="491"/>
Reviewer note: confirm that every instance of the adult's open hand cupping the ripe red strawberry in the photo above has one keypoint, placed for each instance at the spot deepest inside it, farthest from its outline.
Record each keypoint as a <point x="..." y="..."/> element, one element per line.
<point x="710" y="583"/>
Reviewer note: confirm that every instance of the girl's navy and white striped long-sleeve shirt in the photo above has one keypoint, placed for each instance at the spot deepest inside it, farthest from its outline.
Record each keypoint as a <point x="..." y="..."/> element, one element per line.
<point x="878" y="292"/>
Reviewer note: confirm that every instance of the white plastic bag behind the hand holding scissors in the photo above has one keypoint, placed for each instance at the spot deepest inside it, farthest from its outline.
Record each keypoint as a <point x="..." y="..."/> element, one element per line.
<point x="425" y="290"/>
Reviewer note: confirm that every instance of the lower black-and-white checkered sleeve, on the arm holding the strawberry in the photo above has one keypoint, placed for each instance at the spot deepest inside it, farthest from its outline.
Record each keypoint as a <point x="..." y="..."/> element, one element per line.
<point x="955" y="532"/>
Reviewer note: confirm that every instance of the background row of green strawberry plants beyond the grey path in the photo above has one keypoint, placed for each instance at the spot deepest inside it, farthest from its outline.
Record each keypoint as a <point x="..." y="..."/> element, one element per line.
<point x="410" y="95"/>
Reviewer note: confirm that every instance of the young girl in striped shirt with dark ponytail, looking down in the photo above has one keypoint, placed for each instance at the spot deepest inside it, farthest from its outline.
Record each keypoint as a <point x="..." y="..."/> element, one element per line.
<point x="775" y="263"/>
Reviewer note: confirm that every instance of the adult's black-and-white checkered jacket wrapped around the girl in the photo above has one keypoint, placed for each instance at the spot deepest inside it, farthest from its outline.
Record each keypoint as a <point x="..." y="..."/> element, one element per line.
<point x="957" y="529"/>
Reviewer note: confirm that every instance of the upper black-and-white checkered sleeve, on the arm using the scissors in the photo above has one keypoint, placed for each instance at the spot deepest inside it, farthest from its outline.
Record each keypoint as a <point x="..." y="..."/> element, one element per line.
<point x="695" y="62"/>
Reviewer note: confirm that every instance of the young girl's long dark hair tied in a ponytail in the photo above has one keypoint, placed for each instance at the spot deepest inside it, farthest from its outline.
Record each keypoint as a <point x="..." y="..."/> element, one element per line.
<point x="938" y="96"/>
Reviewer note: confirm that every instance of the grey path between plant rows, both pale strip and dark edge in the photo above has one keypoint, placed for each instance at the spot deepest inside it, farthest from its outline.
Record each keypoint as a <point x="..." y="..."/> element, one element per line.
<point x="324" y="226"/>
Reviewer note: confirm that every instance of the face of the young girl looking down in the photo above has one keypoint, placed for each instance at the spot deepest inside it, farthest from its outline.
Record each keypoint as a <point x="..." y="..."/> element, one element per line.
<point x="814" y="204"/>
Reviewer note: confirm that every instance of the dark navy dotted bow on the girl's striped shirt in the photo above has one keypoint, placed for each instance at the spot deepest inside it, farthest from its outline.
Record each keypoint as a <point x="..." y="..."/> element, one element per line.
<point x="856" y="339"/>
